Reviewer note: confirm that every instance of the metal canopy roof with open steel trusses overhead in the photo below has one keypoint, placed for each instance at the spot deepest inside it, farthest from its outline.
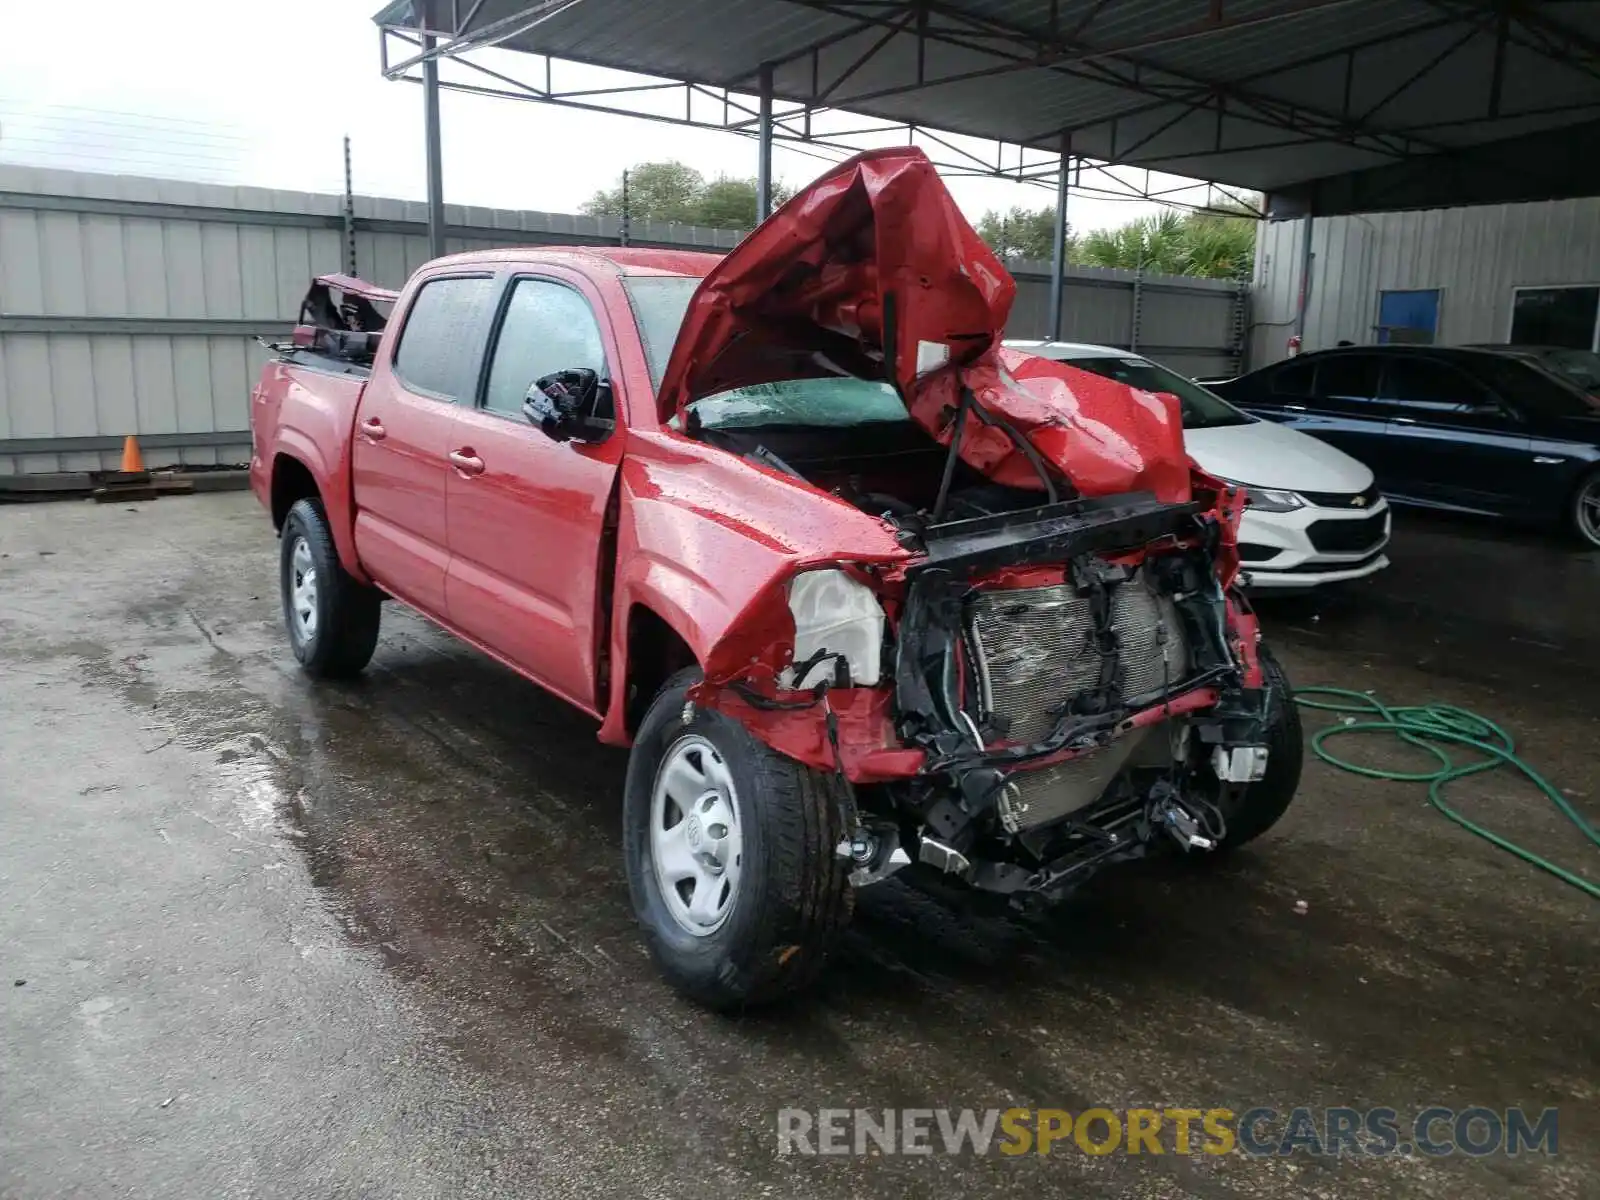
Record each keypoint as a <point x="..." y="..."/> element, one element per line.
<point x="1324" y="105"/>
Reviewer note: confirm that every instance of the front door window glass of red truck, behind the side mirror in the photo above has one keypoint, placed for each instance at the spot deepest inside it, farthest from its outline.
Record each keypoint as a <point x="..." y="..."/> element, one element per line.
<point x="548" y="327"/>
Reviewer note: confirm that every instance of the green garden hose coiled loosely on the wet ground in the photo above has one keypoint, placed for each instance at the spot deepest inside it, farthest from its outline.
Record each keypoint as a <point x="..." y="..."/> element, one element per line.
<point x="1426" y="726"/>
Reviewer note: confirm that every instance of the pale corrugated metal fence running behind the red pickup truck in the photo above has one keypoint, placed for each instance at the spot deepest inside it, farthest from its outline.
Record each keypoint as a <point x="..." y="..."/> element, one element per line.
<point x="132" y="306"/>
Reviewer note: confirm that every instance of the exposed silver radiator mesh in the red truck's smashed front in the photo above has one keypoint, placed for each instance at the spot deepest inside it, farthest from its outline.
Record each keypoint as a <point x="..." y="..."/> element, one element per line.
<point x="1038" y="649"/>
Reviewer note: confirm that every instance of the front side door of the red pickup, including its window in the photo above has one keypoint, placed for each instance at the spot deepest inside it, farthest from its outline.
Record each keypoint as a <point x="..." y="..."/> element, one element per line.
<point x="527" y="526"/>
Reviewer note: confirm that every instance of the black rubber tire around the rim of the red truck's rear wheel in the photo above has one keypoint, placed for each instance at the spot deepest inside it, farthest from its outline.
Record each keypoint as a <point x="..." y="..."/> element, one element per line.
<point x="342" y="641"/>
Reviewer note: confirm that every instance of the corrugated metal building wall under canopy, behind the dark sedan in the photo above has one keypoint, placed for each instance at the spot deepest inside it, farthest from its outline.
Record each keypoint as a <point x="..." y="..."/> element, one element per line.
<point x="1474" y="255"/>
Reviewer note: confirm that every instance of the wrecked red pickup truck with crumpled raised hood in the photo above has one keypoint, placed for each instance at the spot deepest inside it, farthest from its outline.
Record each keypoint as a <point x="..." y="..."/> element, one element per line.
<point x="863" y="590"/>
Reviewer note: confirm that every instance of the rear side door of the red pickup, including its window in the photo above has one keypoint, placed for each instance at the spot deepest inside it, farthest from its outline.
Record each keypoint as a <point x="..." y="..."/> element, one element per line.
<point x="404" y="436"/>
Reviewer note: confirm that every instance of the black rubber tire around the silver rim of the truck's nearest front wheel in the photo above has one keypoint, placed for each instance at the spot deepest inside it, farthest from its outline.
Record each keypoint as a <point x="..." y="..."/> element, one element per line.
<point x="794" y="897"/>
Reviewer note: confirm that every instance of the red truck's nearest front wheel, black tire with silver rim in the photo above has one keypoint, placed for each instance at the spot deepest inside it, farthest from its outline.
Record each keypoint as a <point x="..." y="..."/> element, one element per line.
<point x="730" y="855"/>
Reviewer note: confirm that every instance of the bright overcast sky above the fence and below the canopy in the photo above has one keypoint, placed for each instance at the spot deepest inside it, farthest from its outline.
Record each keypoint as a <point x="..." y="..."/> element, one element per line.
<point x="262" y="94"/>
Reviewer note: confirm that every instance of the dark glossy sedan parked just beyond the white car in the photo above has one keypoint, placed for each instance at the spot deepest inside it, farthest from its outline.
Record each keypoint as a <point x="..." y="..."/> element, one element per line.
<point x="1449" y="428"/>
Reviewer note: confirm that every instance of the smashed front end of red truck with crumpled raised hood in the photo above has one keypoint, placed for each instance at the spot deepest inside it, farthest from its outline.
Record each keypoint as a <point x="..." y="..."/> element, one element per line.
<point x="1052" y="668"/>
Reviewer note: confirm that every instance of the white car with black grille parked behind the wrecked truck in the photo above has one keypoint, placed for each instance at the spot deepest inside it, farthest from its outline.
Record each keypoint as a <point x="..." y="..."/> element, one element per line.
<point x="1314" y="514"/>
